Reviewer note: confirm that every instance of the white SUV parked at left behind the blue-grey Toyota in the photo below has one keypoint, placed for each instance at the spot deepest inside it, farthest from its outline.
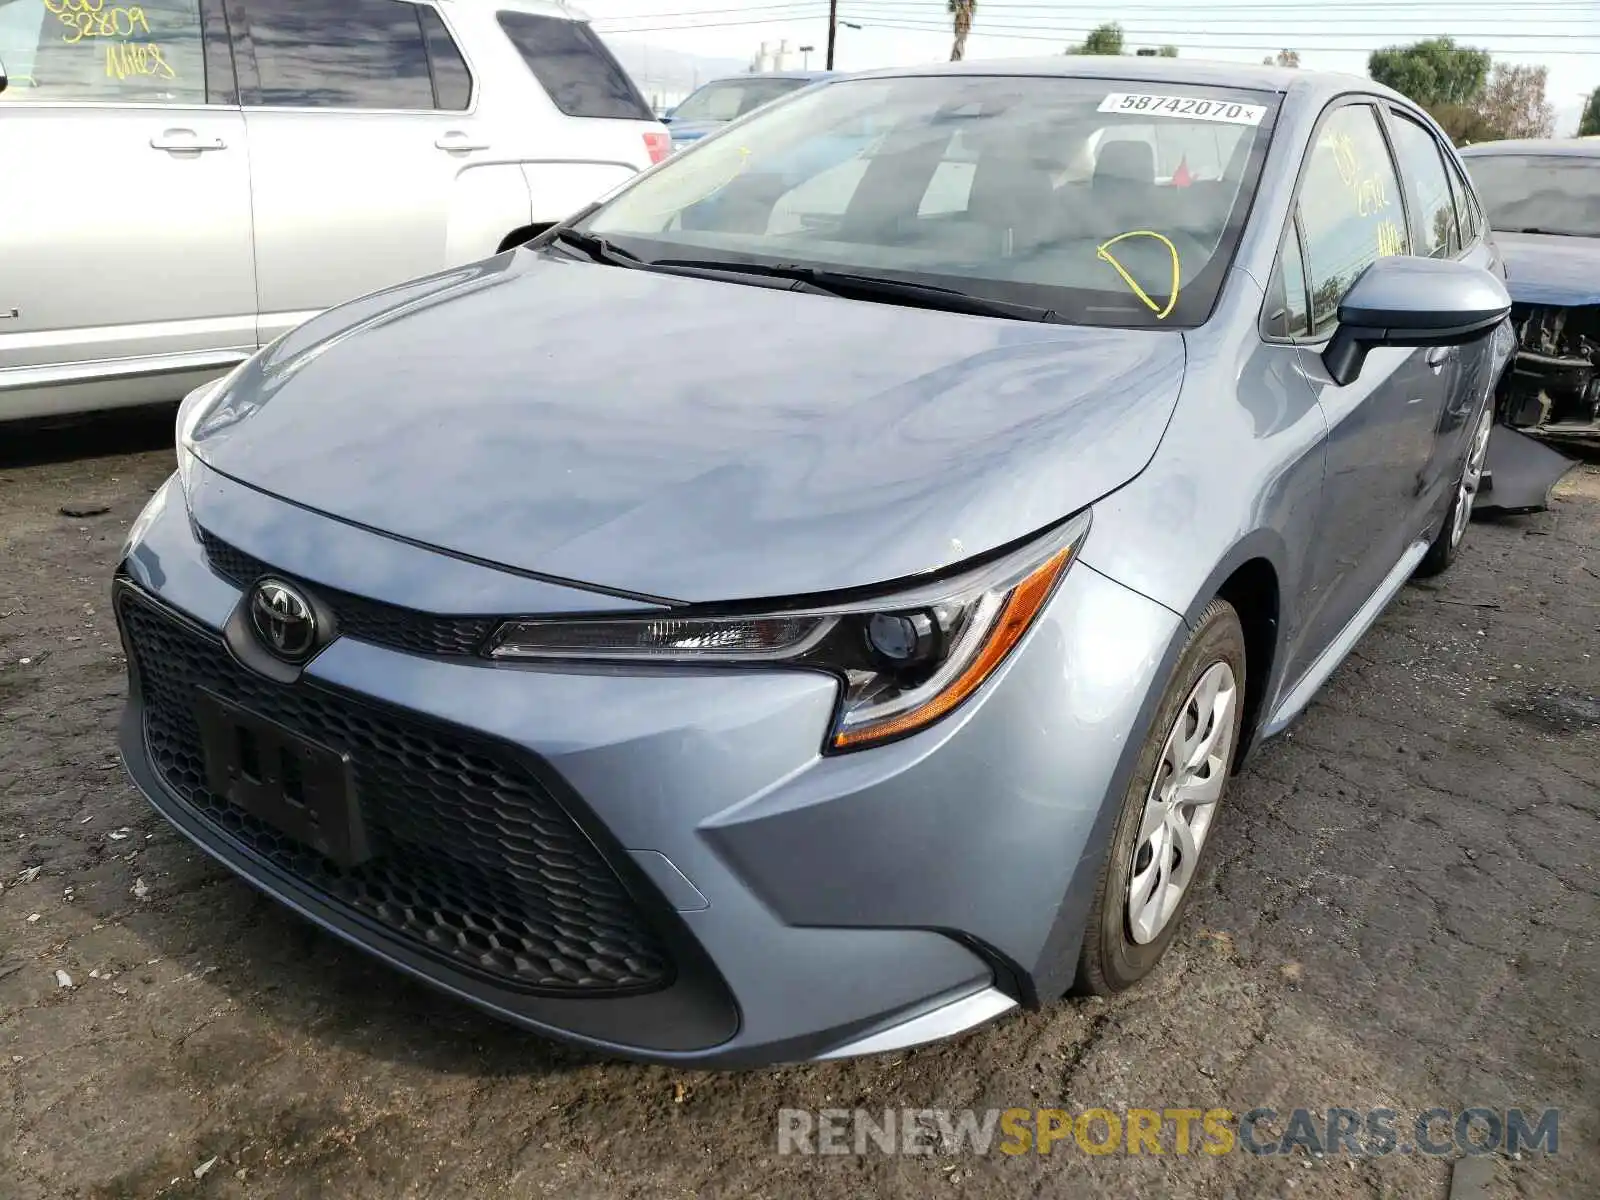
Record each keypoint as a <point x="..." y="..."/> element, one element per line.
<point x="202" y="177"/>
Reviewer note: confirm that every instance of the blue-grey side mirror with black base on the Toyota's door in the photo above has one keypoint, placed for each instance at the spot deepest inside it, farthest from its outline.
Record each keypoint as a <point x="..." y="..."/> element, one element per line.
<point x="1414" y="302"/>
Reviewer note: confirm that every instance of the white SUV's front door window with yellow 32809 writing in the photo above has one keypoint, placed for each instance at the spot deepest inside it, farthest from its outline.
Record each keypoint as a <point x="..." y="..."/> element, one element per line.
<point x="102" y="52"/>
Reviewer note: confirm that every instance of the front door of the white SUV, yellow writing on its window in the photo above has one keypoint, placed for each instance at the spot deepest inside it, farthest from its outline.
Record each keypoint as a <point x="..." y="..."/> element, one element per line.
<point x="127" y="273"/>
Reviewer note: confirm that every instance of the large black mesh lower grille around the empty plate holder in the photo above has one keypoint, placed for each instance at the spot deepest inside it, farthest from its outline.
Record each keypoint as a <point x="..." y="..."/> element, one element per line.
<point x="473" y="858"/>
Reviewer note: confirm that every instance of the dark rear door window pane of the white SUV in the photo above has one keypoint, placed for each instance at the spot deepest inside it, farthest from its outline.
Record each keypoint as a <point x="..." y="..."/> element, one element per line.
<point x="340" y="55"/>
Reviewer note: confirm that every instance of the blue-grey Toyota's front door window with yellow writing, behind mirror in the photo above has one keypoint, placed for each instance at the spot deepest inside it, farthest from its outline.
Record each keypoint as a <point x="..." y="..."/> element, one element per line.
<point x="1350" y="206"/>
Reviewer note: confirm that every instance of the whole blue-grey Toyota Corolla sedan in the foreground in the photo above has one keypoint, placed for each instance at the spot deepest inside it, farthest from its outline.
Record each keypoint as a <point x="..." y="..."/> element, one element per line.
<point x="812" y="604"/>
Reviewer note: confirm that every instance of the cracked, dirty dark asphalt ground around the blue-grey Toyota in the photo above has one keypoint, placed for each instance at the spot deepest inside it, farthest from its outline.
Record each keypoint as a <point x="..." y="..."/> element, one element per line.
<point x="1402" y="911"/>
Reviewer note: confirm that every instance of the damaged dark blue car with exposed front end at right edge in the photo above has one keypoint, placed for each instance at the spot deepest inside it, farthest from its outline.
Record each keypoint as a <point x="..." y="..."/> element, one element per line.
<point x="1543" y="202"/>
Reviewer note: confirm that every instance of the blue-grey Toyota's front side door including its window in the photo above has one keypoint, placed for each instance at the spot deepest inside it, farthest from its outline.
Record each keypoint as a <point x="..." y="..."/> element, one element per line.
<point x="1383" y="425"/>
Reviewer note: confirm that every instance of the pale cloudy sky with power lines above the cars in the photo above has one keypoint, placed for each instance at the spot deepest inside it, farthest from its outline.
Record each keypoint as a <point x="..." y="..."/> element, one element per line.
<point x="1562" y="36"/>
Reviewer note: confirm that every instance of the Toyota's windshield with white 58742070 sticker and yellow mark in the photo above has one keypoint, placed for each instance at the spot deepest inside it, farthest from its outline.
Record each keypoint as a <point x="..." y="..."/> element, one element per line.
<point x="1073" y="196"/>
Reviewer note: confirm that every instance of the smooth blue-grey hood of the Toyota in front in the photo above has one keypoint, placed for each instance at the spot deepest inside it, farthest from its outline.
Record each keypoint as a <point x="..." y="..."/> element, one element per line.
<point x="690" y="439"/>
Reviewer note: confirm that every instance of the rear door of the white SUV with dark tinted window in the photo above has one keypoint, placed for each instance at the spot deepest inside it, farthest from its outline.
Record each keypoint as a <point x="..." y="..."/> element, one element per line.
<point x="361" y="118"/>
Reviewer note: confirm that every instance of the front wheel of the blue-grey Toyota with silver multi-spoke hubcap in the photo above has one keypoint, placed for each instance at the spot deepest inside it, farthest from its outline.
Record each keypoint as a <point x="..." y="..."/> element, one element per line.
<point x="1137" y="914"/>
